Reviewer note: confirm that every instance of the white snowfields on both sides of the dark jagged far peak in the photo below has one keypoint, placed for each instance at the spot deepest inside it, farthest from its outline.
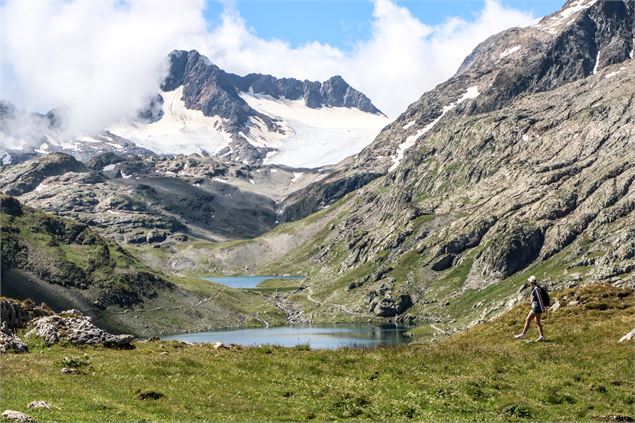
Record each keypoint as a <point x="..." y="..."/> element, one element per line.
<point x="309" y="137"/>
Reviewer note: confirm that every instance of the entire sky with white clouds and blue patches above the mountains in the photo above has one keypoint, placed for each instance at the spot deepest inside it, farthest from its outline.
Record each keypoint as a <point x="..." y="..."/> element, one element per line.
<point x="101" y="60"/>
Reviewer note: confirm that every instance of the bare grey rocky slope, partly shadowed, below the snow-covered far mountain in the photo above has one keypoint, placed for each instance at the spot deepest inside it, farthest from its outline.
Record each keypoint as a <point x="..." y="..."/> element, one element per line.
<point x="147" y="199"/>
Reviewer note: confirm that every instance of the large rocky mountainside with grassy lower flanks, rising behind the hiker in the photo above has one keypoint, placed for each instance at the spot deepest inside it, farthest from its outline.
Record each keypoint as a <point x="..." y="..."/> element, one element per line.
<point x="530" y="172"/>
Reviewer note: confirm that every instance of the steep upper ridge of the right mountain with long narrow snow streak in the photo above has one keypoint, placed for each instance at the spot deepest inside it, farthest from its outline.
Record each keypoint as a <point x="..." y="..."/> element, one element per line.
<point x="579" y="40"/>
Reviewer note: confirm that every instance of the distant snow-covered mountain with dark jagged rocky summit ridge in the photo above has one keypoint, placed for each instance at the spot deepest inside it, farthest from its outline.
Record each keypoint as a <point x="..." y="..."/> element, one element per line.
<point x="250" y="119"/>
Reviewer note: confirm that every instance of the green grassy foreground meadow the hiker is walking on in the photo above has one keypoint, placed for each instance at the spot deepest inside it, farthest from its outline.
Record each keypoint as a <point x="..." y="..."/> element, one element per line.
<point x="481" y="374"/>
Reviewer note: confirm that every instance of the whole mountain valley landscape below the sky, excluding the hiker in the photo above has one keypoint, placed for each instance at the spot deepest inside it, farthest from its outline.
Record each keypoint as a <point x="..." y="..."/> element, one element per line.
<point x="258" y="247"/>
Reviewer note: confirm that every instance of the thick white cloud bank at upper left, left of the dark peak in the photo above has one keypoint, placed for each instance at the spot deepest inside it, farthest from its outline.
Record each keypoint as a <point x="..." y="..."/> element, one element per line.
<point x="97" y="60"/>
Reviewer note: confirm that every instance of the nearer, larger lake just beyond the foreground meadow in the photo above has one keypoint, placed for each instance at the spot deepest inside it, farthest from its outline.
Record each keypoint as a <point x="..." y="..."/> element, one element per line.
<point x="317" y="337"/>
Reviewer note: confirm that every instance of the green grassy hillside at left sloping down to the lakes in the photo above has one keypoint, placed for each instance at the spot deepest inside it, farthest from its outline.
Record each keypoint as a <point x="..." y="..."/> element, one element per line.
<point x="201" y="306"/>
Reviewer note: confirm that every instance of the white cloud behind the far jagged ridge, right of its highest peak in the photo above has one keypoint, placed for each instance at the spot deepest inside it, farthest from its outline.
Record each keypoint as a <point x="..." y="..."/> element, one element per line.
<point x="401" y="60"/>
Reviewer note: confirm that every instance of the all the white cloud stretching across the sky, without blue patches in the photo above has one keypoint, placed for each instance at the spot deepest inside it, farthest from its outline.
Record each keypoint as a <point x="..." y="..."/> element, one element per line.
<point x="101" y="60"/>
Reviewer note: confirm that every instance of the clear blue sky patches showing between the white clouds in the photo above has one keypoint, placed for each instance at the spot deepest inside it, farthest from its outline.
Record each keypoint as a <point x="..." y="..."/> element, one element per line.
<point x="341" y="23"/>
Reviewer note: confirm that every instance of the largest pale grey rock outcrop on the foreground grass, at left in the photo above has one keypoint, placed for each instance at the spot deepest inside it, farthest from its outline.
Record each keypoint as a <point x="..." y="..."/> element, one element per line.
<point x="77" y="329"/>
